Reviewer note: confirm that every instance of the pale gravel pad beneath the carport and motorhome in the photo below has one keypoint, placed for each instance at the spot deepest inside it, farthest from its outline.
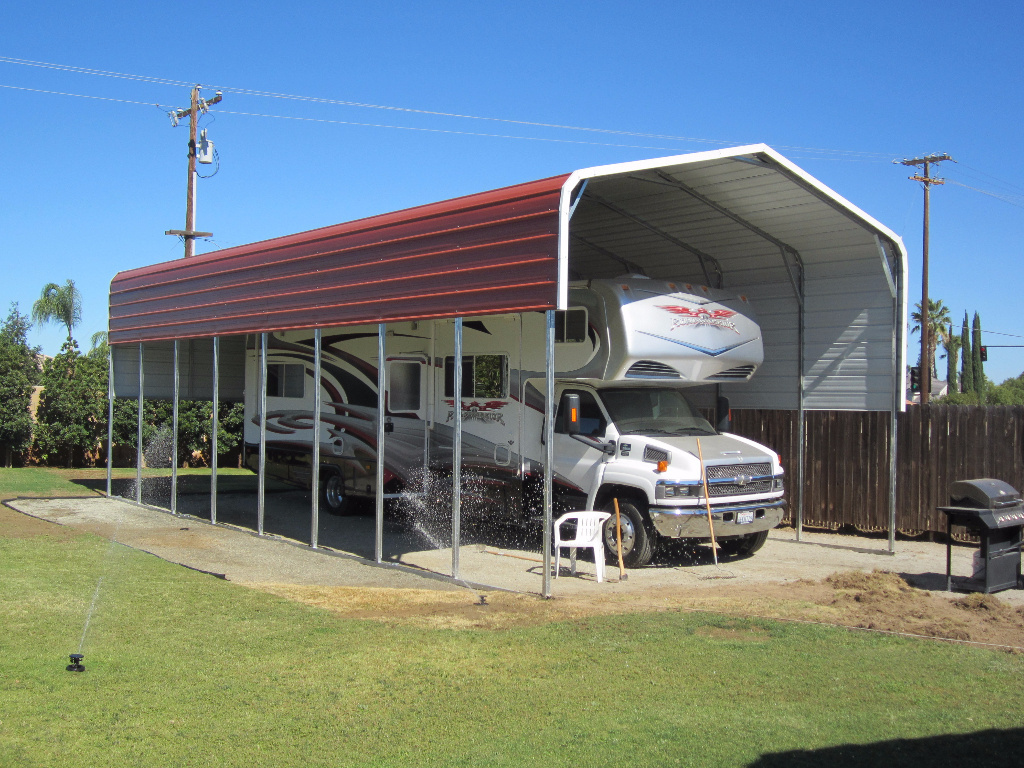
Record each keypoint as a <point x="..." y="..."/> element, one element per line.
<point x="416" y="556"/>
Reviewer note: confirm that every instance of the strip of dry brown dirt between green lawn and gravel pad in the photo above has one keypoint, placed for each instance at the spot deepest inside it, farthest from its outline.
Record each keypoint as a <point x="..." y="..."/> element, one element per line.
<point x="878" y="601"/>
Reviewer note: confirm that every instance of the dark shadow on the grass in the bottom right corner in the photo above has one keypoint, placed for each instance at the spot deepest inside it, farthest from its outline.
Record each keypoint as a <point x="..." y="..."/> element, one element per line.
<point x="980" y="750"/>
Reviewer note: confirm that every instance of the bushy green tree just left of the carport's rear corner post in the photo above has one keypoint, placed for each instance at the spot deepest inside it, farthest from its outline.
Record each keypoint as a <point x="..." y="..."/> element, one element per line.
<point x="72" y="415"/>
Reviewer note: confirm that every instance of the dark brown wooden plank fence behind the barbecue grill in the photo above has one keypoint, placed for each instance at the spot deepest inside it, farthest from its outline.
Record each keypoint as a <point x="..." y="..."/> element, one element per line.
<point x="846" y="476"/>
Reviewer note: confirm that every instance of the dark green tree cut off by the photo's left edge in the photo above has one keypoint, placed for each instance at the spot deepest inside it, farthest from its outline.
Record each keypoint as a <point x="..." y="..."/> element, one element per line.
<point x="19" y="374"/>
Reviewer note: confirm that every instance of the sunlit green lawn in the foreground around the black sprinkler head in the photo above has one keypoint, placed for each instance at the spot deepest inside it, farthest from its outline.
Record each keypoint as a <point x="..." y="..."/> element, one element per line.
<point x="187" y="670"/>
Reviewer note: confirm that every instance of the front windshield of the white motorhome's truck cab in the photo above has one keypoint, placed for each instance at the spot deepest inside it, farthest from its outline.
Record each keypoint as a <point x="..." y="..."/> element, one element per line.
<point x="654" y="412"/>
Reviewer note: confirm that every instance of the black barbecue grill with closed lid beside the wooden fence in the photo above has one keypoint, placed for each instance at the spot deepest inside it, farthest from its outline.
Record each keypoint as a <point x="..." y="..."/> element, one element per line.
<point x="994" y="511"/>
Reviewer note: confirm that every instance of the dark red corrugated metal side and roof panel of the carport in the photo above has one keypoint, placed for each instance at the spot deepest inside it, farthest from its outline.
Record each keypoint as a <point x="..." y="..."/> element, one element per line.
<point x="483" y="254"/>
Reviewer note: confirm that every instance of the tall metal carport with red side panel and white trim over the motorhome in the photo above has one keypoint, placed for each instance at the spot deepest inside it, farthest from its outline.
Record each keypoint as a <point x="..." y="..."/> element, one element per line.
<point x="828" y="280"/>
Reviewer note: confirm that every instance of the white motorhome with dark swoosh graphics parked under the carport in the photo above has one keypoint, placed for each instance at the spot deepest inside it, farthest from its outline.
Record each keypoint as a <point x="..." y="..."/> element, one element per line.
<point x="627" y="352"/>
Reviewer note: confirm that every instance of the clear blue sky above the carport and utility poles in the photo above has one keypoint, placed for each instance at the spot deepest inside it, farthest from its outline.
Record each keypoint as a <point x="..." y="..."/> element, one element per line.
<point x="90" y="186"/>
